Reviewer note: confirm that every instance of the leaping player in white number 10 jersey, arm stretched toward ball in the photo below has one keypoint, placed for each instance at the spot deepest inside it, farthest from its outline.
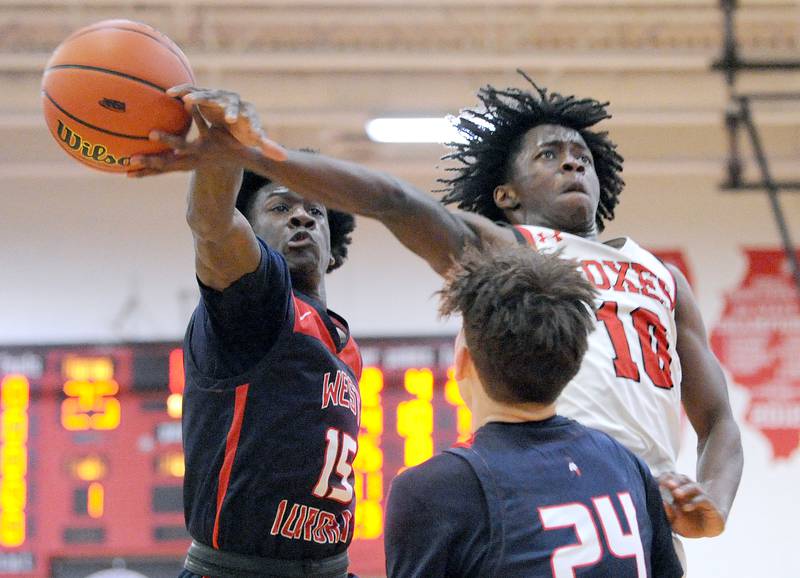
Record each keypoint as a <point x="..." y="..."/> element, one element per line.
<point x="530" y="159"/>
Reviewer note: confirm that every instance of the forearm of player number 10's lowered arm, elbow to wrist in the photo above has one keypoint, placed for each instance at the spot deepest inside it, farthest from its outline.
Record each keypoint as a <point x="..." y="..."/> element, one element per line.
<point x="719" y="463"/>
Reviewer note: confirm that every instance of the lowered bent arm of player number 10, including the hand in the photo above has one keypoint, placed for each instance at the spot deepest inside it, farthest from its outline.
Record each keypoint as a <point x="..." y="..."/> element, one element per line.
<point x="701" y="508"/>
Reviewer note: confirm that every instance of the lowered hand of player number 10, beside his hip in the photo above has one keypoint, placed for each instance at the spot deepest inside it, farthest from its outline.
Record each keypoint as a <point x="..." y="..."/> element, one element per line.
<point x="690" y="510"/>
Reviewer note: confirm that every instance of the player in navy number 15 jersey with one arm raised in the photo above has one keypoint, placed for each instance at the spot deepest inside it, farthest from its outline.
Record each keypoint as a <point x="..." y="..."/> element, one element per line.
<point x="271" y="405"/>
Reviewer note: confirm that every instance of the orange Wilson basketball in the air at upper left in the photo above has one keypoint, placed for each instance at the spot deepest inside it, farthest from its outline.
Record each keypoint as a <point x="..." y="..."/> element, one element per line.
<point x="104" y="90"/>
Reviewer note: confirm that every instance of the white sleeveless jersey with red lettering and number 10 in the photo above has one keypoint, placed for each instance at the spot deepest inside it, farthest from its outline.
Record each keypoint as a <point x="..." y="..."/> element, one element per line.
<point x="629" y="383"/>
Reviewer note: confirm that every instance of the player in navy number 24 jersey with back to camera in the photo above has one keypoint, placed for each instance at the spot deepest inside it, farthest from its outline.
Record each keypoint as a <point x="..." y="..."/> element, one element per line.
<point x="531" y="494"/>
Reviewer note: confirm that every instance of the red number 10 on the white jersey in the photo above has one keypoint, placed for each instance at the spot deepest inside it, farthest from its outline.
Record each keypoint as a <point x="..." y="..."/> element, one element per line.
<point x="652" y="342"/>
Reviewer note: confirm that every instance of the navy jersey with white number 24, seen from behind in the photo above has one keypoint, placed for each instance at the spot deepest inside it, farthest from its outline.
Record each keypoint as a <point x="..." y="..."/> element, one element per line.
<point x="534" y="499"/>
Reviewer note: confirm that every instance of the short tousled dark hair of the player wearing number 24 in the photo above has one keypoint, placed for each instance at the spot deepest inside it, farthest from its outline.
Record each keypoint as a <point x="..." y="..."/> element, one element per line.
<point x="526" y="318"/>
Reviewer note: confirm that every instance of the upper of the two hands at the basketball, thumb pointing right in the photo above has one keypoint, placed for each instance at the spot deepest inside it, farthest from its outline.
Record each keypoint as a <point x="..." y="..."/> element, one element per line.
<point x="226" y="109"/>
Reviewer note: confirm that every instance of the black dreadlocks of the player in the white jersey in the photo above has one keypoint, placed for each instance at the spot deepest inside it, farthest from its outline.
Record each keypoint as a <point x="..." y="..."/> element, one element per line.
<point x="494" y="135"/>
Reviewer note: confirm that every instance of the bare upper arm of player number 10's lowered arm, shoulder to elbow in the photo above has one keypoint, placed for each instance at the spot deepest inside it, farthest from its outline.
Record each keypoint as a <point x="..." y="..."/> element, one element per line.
<point x="704" y="391"/>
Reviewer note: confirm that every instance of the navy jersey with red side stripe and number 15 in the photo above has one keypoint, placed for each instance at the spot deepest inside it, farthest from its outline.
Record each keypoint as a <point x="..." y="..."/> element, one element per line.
<point x="270" y="420"/>
